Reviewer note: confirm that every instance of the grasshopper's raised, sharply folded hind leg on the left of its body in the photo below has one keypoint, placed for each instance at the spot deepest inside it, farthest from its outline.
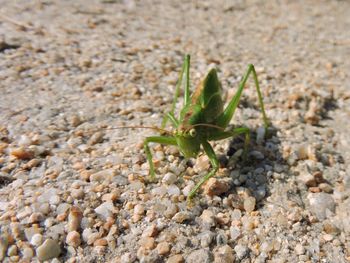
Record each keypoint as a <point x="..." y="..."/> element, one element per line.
<point x="185" y="69"/>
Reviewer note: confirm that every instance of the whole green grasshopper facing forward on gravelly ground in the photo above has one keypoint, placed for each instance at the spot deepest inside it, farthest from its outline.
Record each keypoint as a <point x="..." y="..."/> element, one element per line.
<point x="202" y="119"/>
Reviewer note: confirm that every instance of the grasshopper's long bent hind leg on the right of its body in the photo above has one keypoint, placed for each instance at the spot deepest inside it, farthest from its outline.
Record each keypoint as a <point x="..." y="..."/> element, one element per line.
<point x="226" y="116"/>
